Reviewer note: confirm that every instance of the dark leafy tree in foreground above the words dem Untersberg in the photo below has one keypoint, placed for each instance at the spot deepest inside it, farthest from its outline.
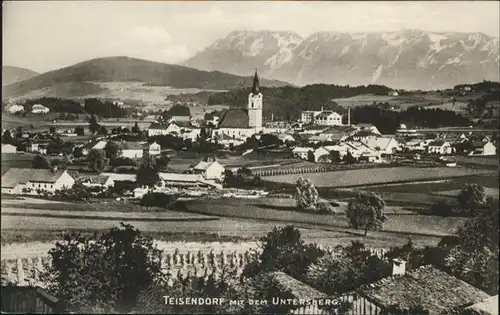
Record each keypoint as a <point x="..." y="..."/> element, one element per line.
<point x="283" y="249"/>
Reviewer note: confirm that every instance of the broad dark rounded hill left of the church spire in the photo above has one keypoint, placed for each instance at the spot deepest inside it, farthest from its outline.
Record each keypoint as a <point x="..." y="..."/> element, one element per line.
<point x="83" y="78"/>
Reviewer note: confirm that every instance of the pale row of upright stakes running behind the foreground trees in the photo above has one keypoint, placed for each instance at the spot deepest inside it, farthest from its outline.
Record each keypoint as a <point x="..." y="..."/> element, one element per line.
<point x="180" y="265"/>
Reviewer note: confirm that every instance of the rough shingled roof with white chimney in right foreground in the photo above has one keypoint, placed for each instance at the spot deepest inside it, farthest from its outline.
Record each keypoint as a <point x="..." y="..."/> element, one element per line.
<point x="428" y="287"/>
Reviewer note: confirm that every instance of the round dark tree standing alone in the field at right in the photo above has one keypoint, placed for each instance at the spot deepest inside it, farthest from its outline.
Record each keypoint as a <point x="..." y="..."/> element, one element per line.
<point x="366" y="211"/>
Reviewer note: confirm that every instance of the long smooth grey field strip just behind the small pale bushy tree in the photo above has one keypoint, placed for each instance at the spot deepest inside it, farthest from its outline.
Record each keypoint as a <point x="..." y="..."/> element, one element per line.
<point x="361" y="177"/>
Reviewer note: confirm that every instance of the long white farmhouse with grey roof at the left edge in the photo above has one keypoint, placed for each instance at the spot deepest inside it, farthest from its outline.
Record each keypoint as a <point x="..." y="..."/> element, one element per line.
<point x="31" y="181"/>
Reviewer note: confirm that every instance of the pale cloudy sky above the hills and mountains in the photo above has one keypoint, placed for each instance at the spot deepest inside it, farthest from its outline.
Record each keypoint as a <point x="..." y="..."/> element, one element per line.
<point x="48" y="35"/>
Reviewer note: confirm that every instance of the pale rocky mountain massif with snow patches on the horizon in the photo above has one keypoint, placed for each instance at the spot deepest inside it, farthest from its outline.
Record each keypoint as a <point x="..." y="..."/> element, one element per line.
<point x="409" y="59"/>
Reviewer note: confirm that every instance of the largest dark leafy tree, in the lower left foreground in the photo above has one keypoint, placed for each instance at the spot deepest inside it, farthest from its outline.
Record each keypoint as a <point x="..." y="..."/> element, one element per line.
<point x="105" y="272"/>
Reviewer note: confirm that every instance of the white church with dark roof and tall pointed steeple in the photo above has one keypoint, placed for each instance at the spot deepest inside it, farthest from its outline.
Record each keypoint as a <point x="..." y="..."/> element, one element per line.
<point x="239" y="123"/>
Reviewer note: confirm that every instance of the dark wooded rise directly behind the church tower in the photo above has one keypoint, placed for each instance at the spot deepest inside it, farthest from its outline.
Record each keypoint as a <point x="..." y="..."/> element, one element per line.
<point x="288" y="102"/>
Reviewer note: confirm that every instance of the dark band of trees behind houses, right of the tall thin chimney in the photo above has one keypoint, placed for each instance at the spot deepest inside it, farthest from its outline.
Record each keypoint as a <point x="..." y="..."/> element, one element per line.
<point x="387" y="121"/>
